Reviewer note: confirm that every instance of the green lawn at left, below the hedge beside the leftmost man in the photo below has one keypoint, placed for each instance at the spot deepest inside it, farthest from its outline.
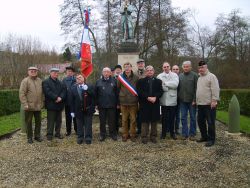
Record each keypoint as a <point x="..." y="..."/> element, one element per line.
<point x="12" y="122"/>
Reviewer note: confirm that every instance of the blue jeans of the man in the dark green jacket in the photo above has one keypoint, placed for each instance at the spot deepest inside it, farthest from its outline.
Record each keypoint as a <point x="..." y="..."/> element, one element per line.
<point x="185" y="108"/>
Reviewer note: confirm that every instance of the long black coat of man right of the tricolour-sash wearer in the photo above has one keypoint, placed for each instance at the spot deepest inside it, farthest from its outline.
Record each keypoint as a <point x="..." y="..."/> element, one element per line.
<point x="149" y="112"/>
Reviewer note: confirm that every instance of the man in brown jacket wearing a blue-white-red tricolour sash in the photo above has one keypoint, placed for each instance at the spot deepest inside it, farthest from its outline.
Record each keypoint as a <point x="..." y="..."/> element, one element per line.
<point x="126" y="85"/>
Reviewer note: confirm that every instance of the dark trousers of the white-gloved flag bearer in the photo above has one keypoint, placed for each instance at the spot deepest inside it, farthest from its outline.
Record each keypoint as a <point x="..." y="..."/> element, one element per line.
<point x="84" y="127"/>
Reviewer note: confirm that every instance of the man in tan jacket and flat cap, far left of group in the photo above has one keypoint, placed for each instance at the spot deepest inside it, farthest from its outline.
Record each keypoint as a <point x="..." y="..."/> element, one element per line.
<point x="31" y="97"/>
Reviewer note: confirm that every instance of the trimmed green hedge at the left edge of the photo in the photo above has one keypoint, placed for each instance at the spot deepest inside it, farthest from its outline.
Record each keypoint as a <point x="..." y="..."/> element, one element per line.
<point x="9" y="102"/>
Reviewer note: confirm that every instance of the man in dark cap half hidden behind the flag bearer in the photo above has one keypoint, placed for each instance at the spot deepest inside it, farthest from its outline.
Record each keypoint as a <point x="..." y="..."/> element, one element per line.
<point x="69" y="81"/>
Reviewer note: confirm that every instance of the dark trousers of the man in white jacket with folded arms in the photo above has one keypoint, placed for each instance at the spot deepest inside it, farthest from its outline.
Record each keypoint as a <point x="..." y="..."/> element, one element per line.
<point x="168" y="118"/>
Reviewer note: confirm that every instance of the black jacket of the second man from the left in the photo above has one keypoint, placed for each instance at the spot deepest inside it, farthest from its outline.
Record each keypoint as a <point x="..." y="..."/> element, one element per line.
<point x="53" y="89"/>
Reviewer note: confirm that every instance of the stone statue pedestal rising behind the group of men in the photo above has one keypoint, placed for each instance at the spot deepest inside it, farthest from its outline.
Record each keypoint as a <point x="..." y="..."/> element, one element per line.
<point x="128" y="52"/>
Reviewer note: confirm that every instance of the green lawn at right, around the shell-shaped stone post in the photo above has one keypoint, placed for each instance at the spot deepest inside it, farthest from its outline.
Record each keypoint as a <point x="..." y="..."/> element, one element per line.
<point x="244" y="121"/>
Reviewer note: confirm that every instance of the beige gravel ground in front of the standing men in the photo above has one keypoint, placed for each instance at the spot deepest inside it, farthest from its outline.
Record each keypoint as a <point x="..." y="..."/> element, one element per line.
<point x="64" y="163"/>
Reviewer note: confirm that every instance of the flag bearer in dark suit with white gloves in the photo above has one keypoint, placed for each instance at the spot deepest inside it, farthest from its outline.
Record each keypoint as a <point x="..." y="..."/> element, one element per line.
<point x="82" y="107"/>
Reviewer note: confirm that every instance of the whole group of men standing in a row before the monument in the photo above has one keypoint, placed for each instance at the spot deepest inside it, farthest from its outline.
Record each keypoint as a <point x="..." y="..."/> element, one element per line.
<point x="139" y="96"/>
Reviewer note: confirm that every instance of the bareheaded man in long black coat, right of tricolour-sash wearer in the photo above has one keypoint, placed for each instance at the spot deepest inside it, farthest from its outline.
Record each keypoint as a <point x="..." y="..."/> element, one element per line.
<point x="149" y="91"/>
